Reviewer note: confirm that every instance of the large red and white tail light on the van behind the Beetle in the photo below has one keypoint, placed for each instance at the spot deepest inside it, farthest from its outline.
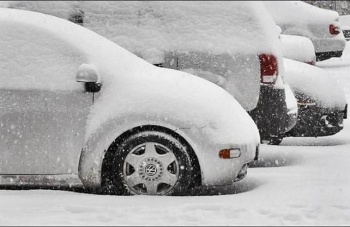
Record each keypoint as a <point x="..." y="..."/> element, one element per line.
<point x="268" y="68"/>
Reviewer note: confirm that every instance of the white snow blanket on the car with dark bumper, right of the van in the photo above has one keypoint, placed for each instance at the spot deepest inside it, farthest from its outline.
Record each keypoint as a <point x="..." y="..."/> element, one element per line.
<point x="315" y="83"/>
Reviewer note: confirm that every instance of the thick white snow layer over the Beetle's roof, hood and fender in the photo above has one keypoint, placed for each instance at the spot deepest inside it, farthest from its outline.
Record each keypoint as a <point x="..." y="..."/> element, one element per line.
<point x="131" y="86"/>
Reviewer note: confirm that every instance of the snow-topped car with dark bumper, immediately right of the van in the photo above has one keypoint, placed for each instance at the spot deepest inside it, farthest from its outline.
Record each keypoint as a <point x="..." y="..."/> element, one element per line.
<point x="322" y="105"/>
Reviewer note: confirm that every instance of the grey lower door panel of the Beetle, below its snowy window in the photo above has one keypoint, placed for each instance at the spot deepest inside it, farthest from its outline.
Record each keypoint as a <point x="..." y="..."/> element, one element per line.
<point x="42" y="132"/>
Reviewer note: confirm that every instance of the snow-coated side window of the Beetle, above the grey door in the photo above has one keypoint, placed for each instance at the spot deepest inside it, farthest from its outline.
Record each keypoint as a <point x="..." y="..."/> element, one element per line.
<point x="32" y="58"/>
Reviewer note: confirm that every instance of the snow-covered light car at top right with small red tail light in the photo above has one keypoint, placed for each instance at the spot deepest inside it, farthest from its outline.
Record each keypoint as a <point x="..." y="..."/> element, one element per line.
<point x="320" y="25"/>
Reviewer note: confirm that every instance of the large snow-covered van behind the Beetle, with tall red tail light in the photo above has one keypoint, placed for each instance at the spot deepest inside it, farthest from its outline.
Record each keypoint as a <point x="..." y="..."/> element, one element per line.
<point x="200" y="38"/>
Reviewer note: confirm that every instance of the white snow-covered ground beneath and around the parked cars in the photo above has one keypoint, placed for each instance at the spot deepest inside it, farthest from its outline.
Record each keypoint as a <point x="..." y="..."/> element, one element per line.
<point x="304" y="181"/>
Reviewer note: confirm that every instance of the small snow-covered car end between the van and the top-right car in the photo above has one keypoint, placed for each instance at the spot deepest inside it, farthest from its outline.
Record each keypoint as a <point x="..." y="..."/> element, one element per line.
<point x="298" y="48"/>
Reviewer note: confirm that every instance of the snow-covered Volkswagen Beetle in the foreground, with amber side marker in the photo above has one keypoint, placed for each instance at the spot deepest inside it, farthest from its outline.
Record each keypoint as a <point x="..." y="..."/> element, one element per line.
<point x="77" y="109"/>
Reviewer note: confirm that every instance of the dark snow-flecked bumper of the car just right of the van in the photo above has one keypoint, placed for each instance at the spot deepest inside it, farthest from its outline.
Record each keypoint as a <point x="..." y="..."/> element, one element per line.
<point x="315" y="121"/>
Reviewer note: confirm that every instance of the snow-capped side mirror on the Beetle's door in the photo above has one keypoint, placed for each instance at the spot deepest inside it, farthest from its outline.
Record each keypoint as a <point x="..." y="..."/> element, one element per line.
<point x="88" y="73"/>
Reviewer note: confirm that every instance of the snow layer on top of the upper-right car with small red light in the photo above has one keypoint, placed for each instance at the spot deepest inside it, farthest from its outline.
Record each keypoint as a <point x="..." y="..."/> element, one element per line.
<point x="298" y="12"/>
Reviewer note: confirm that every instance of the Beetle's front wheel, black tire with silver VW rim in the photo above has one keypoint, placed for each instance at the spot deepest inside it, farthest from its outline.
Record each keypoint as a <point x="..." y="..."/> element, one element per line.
<point x="150" y="163"/>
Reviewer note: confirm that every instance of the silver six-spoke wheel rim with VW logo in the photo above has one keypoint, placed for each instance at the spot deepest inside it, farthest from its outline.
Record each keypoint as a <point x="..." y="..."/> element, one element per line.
<point x="151" y="169"/>
